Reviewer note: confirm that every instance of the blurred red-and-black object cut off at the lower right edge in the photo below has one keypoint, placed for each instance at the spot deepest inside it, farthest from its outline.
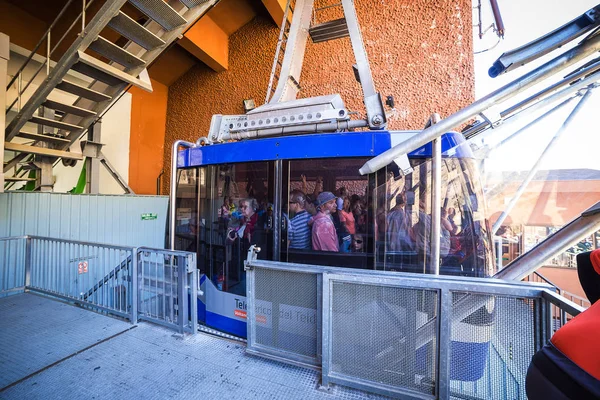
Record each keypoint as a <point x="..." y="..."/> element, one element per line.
<point x="569" y="366"/>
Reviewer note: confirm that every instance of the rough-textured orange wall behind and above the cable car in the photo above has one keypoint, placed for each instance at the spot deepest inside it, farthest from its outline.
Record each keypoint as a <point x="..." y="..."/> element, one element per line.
<point x="420" y="52"/>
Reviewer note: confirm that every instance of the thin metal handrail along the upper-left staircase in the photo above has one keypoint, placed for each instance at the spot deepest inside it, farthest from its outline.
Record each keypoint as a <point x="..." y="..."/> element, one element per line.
<point x="49" y="51"/>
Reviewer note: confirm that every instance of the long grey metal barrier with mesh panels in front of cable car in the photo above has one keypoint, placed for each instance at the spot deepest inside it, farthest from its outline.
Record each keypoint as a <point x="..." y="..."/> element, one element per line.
<point x="401" y="334"/>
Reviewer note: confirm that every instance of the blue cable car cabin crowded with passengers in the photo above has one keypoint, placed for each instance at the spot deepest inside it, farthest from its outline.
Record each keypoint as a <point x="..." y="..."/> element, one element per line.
<point x="267" y="192"/>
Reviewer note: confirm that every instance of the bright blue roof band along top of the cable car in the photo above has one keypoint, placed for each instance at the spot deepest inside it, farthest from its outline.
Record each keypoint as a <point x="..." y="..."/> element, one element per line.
<point x="325" y="145"/>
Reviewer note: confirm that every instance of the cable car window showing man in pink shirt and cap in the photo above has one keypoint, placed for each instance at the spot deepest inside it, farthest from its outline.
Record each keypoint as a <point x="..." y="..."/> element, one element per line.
<point x="329" y="212"/>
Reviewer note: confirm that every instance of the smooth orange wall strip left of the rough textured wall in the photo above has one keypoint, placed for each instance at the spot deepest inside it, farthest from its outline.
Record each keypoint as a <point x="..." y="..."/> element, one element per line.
<point x="146" y="142"/>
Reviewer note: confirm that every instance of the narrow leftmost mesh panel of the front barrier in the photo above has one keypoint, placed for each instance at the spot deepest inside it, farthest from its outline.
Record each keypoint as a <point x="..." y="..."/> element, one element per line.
<point x="286" y="311"/>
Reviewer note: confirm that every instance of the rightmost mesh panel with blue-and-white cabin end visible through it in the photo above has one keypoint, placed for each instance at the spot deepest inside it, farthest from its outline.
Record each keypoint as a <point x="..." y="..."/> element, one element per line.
<point x="491" y="348"/>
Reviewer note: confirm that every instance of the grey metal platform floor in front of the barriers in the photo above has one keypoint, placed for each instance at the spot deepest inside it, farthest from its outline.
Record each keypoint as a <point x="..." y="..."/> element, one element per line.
<point x="43" y="339"/>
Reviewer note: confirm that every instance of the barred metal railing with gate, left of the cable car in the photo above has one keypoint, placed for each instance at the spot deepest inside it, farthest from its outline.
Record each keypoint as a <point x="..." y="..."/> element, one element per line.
<point x="129" y="282"/>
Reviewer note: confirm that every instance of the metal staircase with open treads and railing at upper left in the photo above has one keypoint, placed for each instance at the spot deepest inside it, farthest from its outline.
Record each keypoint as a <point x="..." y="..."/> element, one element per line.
<point x="111" y="67"/>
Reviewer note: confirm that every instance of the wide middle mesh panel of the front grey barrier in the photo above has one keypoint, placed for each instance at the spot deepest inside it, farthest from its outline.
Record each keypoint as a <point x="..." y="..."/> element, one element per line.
<point x="373" y="335"/>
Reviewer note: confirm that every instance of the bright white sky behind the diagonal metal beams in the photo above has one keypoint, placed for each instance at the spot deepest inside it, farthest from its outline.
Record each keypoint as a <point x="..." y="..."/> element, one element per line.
<point x="525" y="21"/>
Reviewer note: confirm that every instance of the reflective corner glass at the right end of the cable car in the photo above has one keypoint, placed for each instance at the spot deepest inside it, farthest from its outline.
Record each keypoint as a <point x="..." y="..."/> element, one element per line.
<point x="404" y="220"/>
